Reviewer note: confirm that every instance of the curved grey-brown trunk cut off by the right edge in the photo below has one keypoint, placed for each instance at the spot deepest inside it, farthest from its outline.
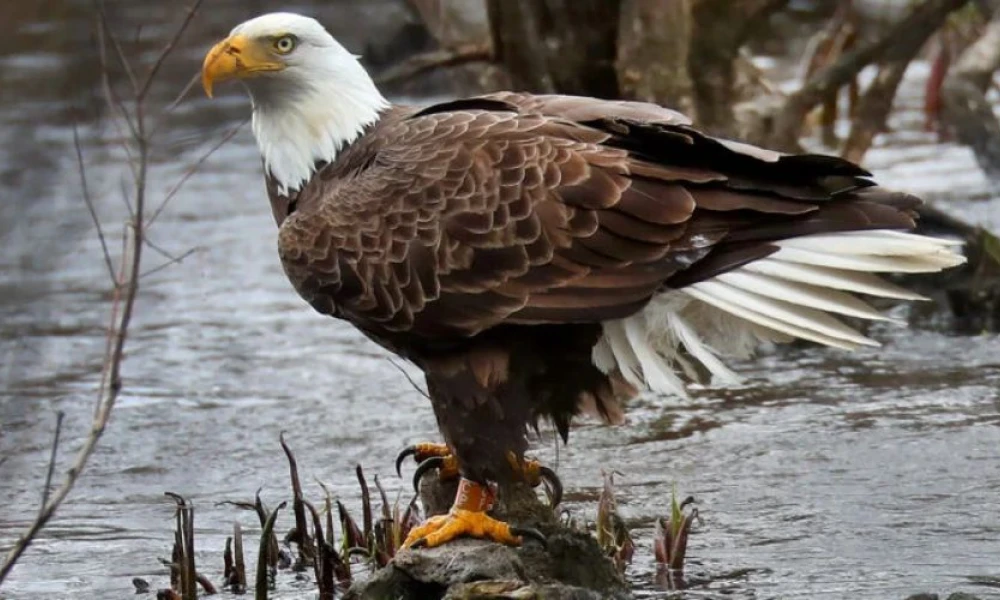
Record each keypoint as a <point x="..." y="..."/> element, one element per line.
<point x="964" y="103"/>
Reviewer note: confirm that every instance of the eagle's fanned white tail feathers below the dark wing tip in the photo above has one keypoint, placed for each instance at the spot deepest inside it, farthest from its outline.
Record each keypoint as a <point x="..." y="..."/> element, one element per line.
<point x="789" y="294"/>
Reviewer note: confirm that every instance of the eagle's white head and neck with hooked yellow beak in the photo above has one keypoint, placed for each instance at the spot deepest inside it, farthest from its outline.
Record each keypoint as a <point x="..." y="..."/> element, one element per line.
<point x="311" y="97"/>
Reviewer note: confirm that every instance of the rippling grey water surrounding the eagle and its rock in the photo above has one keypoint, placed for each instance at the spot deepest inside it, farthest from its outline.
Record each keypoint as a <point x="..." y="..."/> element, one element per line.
<point x="865" y="475"/>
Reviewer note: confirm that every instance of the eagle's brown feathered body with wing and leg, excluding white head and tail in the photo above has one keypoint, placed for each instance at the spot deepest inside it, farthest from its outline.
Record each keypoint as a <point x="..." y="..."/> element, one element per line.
<point x="487" y="239"/>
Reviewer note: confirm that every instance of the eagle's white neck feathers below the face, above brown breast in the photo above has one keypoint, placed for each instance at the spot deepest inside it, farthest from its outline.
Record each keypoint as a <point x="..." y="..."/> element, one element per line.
<point x="300" y="124"/>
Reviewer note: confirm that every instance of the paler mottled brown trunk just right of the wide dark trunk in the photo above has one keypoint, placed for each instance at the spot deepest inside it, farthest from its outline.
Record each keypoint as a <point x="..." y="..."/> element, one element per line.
<point x="654" y="37"/>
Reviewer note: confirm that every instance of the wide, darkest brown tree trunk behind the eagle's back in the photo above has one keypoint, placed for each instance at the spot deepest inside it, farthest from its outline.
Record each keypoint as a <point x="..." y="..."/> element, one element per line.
<point x="565" y="46"/>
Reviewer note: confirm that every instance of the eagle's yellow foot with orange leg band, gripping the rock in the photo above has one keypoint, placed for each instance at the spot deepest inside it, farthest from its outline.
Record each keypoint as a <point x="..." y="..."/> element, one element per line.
<point x="468" y="517"/>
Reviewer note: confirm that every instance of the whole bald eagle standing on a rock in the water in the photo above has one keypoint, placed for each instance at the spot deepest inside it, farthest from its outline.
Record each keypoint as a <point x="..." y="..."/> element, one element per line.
<point x="539" y="256"/>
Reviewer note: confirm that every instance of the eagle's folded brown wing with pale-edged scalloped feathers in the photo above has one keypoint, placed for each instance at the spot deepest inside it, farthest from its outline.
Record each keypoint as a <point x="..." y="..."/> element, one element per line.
<point x="546" y="209"/>
